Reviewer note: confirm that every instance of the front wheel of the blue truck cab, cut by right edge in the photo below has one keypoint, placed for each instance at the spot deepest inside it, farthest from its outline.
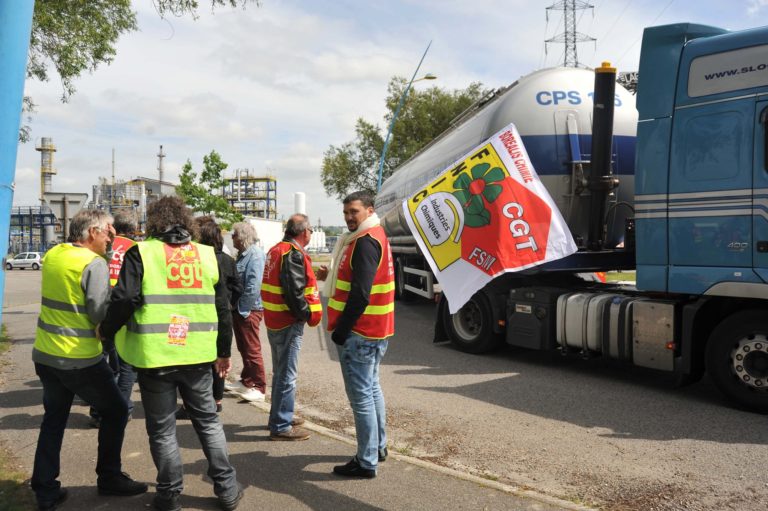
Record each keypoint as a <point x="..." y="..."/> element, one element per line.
<point x="737" y="359"/>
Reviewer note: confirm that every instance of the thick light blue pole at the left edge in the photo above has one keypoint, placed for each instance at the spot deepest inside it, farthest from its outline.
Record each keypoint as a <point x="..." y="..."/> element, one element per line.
<point x="15" y="29"/>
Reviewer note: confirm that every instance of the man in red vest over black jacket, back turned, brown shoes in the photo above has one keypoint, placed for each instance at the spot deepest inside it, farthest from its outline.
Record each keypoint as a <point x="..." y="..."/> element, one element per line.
<point x="291" y="300"/>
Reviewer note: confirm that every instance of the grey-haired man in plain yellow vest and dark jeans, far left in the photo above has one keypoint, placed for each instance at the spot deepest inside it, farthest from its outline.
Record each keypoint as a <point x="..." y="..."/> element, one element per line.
<point x="68" y="359"/>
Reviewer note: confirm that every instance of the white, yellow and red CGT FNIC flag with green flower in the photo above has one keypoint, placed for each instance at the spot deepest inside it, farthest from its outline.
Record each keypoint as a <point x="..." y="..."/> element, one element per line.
<point x="486" y="215"/>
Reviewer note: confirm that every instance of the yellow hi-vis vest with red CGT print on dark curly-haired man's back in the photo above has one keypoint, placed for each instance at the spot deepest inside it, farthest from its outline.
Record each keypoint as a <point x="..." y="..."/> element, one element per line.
<point x="177" y="324"/>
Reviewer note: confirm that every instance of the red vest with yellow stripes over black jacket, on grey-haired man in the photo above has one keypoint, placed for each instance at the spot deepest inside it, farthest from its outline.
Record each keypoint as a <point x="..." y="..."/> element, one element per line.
<point x="277" y="315"/>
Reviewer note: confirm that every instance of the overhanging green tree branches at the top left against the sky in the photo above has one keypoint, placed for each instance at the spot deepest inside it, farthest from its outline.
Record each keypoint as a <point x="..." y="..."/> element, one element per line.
<point x="75" y="36"/>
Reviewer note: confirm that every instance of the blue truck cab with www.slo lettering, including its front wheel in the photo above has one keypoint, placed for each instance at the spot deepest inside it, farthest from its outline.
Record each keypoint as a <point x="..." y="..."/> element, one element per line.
<point x="701" y="199"/>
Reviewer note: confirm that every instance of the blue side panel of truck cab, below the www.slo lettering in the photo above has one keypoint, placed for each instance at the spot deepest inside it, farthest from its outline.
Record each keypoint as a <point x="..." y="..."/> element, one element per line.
<point x="710" y="195"/>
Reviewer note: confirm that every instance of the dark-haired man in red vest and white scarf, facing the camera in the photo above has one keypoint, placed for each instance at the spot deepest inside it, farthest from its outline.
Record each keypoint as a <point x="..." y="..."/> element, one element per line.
<point x="361" y="315"/>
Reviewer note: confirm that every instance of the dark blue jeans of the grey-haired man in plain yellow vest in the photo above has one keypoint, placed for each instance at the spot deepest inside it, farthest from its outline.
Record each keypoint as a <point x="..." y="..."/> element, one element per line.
<point x="96" y="385"/>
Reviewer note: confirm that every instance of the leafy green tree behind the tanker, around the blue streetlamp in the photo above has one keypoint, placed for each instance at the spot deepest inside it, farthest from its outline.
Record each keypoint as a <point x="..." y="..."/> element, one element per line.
<point x="354" y="165"/>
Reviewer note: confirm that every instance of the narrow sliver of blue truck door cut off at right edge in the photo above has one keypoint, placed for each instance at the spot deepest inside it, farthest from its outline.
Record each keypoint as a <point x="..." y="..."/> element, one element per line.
<point x="760" y="198"/>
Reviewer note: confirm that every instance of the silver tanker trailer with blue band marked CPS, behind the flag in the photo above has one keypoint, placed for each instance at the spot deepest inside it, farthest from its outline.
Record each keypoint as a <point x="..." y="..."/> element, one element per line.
<point x="552" y="110"/>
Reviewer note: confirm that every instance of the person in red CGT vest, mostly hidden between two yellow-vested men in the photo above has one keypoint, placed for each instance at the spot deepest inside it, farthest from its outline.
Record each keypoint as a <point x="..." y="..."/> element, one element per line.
<point x="125" y="227"/>
